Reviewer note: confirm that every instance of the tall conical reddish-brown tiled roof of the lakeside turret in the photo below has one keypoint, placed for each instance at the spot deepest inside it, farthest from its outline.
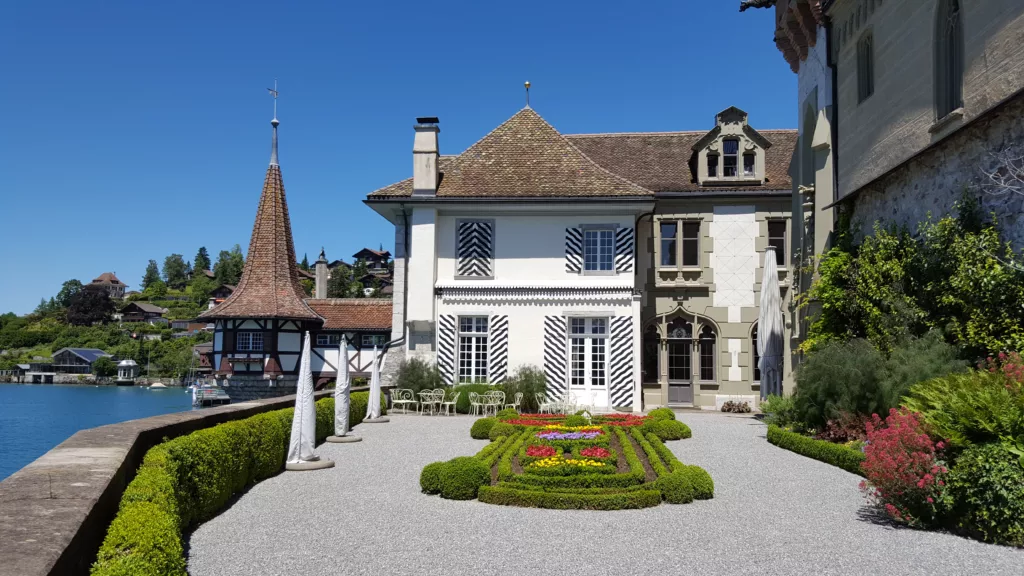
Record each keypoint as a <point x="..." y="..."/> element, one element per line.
<point x="270" y="285"/>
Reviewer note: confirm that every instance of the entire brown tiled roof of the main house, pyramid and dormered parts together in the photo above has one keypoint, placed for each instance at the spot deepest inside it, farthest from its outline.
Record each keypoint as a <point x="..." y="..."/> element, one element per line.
<point x="527" y="157"/>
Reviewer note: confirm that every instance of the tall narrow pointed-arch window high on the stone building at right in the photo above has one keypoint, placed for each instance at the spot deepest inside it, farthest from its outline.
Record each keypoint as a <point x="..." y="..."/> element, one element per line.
<point x="949" y="59"/>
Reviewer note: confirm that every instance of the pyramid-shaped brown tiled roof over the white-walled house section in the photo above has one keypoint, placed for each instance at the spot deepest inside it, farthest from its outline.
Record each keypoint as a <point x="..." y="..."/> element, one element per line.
<point x="525" y="157"/>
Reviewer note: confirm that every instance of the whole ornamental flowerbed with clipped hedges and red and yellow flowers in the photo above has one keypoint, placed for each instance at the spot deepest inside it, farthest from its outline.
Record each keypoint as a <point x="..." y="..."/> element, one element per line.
<point x="573" y="463"/>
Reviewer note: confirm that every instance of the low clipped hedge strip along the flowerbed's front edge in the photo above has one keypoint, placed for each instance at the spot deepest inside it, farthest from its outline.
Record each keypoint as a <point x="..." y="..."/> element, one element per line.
<point x="569" y="501"/>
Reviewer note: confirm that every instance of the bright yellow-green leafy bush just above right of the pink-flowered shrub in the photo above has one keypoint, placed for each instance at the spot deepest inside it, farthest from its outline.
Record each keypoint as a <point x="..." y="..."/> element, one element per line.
<point x="972" y="408"/>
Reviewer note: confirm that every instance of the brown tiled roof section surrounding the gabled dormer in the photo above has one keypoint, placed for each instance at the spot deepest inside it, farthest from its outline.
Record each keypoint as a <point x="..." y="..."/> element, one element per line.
<point x="666" y="161"/>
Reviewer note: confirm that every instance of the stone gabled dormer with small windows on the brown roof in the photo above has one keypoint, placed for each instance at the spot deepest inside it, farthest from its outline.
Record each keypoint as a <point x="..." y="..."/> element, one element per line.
<point x="733" y="153"/>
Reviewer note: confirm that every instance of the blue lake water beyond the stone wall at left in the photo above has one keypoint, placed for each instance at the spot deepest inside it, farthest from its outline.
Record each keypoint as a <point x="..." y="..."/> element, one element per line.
<point x="35" y="419"/>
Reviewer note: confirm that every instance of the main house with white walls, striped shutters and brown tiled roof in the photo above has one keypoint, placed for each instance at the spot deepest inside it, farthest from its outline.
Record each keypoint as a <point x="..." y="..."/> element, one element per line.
<point x="627" y="267"/>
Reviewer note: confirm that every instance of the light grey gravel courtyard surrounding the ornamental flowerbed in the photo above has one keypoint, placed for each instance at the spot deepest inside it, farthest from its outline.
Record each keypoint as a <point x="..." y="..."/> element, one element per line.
<point x="774" y="513"/>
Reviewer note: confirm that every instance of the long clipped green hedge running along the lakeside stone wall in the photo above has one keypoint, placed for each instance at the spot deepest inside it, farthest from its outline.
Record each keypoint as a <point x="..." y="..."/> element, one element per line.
<point x="188" y="480"/>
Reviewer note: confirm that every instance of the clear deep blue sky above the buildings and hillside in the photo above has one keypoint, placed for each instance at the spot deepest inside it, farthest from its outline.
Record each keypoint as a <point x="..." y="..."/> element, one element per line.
<point x="137" y="130"/>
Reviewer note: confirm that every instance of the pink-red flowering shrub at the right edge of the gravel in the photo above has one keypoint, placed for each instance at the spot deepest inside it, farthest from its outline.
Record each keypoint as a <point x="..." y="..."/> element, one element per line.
<point x="906" y="475"/>
